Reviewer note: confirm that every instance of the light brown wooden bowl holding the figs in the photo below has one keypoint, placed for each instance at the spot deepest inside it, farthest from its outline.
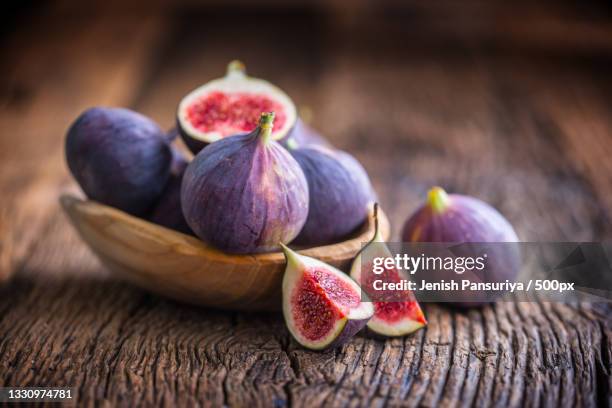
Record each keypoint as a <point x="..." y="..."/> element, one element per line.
<point x="186" y="269"/>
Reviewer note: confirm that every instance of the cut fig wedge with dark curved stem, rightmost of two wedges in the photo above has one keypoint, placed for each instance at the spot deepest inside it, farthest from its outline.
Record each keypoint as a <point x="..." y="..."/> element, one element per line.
<point x="396" y="313"/>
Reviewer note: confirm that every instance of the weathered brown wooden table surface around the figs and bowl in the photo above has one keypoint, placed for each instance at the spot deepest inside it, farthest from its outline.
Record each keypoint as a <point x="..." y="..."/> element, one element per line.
<point x="518" y="113"/>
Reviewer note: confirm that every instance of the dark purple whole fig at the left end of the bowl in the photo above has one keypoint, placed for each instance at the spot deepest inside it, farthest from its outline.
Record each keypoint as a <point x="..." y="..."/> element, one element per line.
<point x="119" y="157"/>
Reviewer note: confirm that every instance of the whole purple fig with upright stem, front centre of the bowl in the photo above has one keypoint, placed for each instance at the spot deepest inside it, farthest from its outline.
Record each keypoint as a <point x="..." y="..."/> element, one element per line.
<point x="245" y="193"/>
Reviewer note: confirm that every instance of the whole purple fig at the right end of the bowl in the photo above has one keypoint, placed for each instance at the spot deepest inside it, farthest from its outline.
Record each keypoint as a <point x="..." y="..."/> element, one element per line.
<point x="338" y="201"/>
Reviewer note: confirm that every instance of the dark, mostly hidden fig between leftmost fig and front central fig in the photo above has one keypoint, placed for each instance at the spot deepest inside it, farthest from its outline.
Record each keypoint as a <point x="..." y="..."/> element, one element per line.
<point x="168" y="211"/>
